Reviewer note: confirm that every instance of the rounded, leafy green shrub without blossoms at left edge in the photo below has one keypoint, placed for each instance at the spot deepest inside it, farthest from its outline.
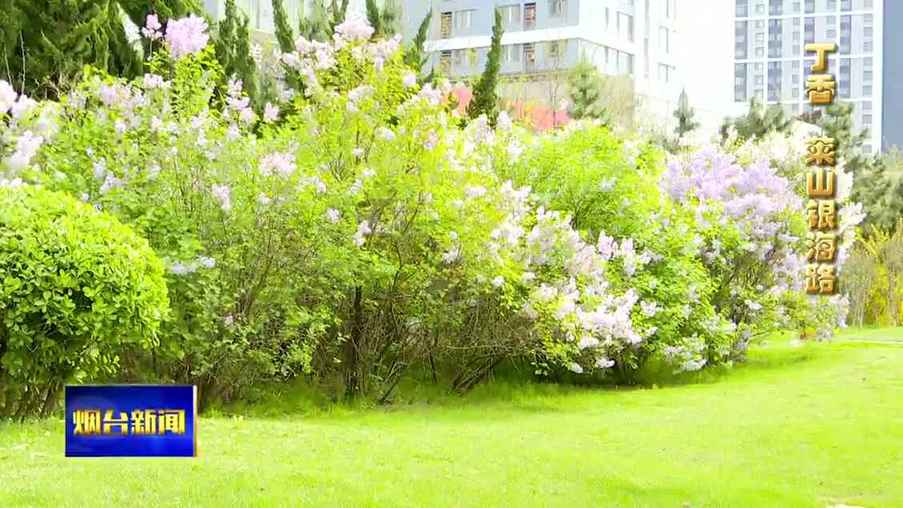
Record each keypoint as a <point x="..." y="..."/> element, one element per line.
<point x="75" y="286"/>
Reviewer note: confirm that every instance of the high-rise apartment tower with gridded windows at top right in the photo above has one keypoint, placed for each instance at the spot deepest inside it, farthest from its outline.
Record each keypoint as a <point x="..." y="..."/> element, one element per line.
<point x="771" y="64"/>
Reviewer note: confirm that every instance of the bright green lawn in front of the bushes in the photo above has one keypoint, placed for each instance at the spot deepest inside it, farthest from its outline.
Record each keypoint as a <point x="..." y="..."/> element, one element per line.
<point x="798" y="425"/>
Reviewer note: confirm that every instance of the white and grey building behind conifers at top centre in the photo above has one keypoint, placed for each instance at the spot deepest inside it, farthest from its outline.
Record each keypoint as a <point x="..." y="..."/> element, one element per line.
<point x="545" y="38"/>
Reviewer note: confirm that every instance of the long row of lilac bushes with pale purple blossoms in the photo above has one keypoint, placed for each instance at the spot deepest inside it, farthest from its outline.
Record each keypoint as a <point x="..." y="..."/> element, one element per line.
<point x="357" y="230"/>
